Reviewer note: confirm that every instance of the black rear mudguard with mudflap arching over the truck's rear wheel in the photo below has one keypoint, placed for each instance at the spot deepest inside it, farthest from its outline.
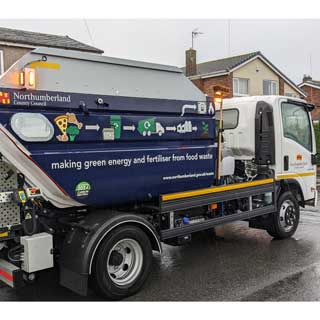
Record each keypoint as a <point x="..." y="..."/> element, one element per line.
<point x="83" y="240"/>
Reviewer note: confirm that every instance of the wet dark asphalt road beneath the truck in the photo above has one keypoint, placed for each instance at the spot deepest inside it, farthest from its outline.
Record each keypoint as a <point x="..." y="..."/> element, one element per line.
<point x="241" y="264"/>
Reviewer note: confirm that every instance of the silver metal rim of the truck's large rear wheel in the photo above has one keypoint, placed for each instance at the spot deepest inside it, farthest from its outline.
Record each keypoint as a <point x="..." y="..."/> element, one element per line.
<point x="124" y="262"/>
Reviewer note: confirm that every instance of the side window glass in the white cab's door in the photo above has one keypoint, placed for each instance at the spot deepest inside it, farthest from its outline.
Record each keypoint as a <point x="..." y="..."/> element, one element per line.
<point x="296" y="124"/>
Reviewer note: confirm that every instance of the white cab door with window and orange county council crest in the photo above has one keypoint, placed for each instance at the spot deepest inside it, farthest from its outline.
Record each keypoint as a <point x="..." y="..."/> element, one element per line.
<point x="297" y="147"/>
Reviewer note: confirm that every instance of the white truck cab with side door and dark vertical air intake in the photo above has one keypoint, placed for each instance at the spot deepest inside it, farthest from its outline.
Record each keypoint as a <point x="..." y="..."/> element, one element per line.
<point x="276" y="131"/>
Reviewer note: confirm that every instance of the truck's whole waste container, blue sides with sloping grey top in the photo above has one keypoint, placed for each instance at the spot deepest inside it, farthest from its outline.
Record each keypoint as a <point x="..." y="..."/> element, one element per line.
<point x="120" y="131"/>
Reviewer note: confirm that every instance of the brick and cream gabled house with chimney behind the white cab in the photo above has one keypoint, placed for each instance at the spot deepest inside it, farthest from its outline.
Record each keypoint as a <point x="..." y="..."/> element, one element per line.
<point x="243" y="75"/>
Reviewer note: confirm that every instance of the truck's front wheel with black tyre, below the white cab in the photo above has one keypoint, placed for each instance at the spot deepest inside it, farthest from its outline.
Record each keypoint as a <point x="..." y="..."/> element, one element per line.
<point x="285" y="221"/>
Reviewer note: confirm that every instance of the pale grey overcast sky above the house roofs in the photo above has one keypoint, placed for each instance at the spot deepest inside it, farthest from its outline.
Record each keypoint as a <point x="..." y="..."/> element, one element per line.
<point x="289" y="44"/>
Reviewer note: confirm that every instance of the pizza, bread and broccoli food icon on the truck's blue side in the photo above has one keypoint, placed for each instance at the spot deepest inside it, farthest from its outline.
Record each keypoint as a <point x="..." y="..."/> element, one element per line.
<point x="69" y="126"/>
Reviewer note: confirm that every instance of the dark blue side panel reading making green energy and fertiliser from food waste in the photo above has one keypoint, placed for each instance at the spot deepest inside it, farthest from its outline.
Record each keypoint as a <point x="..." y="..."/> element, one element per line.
<point x="146" y="154"/>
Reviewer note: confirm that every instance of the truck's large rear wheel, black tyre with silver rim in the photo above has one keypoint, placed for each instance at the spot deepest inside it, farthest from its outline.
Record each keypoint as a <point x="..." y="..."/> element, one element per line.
<point x="122" y="263"/>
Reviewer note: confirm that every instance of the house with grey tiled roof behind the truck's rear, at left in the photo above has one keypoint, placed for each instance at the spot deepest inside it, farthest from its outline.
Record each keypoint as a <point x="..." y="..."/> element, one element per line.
<point x="16" y="43"/>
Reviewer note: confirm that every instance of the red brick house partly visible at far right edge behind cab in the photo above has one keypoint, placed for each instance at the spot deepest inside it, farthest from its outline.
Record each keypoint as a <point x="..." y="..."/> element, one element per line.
<point x="312" y="89"/>
